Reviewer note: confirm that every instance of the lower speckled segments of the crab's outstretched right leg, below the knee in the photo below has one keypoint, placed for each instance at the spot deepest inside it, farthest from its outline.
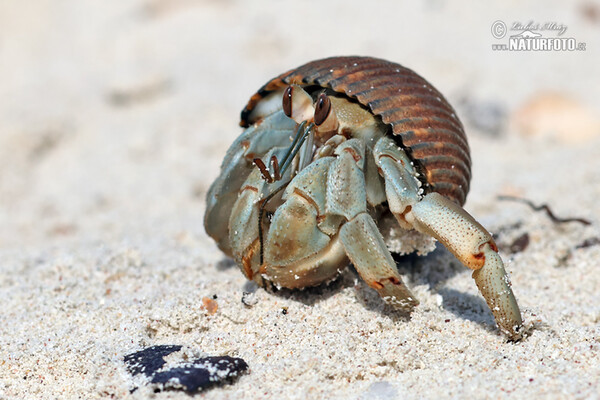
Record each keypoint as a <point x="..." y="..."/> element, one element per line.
<point x="475" y="248"/>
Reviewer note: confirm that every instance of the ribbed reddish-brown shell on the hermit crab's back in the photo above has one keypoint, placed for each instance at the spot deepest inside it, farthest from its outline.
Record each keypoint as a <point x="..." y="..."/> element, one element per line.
<point x="422" y="121"/>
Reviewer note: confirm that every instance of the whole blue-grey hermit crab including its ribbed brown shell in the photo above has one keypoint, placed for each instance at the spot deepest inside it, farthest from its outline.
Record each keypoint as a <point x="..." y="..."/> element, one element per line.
<point x="332" y="149"/>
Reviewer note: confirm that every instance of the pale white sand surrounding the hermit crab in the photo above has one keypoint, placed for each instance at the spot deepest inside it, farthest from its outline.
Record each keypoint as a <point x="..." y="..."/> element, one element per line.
<point x="113" y="122"/>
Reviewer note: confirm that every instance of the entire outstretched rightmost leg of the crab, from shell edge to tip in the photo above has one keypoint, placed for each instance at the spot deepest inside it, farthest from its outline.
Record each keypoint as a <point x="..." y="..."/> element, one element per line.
<point x="439" y="217"/>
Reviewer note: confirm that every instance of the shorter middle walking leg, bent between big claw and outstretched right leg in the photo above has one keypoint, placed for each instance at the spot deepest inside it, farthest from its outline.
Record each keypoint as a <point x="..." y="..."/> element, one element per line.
<point x="364" y="245"/>
